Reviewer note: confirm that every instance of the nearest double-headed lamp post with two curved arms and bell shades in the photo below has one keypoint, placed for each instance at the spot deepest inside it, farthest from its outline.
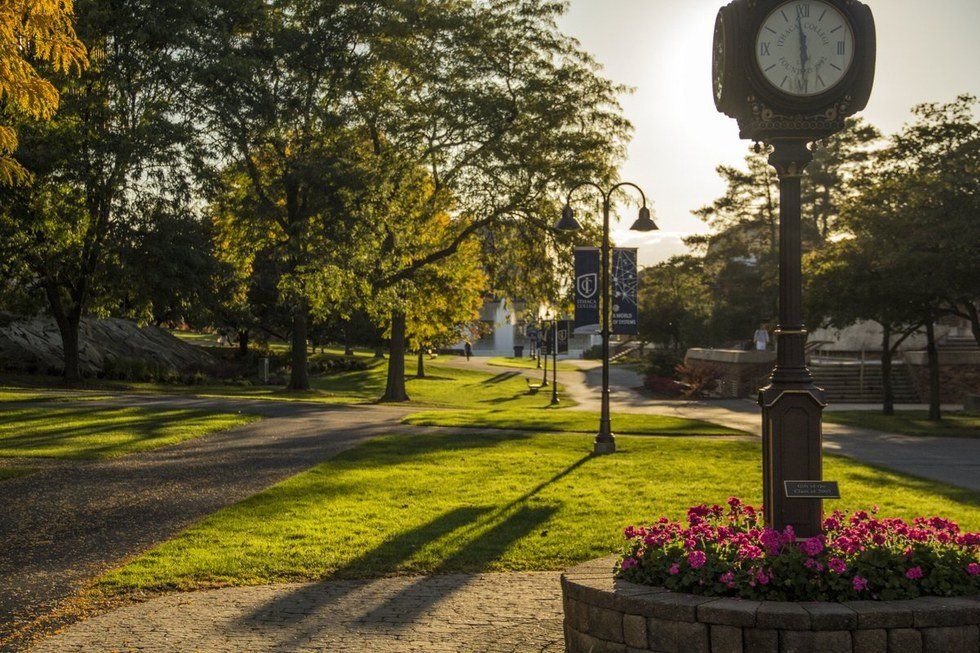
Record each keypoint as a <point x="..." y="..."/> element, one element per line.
<point x="605" y="442"/>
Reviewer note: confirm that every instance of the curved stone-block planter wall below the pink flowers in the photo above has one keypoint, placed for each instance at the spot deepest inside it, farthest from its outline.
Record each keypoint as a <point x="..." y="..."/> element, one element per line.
<point x="607" y="615"/>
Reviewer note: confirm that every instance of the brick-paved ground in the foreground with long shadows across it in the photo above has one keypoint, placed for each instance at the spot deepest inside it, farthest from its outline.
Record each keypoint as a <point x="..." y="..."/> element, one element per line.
<point x="463" y="613"/>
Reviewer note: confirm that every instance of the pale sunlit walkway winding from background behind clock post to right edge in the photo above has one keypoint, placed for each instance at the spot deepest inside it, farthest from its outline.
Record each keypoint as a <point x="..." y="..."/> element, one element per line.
<point x="951" y="460"/>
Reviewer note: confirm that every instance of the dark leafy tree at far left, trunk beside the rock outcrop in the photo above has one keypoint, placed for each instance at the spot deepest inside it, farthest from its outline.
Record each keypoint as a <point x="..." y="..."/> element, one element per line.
<point x="115" y="138"/>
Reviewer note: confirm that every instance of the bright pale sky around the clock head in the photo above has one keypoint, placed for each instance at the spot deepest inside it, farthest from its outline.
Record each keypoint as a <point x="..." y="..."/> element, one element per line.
<point x="928" y="51"/>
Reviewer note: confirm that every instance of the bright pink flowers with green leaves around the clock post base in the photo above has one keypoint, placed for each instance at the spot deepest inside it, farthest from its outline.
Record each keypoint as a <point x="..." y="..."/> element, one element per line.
<point x="728" y="552"/>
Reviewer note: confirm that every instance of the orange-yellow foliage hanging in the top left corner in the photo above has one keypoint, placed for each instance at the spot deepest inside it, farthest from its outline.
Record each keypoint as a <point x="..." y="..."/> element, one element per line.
<point x="33" y="32"/>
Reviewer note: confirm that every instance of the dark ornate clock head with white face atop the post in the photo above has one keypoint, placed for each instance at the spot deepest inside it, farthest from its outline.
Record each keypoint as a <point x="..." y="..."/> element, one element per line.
<point x="793" y="69"/>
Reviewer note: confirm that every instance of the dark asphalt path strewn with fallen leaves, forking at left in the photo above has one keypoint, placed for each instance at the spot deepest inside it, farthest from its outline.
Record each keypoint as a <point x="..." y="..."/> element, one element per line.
<point x="71" y="520"/>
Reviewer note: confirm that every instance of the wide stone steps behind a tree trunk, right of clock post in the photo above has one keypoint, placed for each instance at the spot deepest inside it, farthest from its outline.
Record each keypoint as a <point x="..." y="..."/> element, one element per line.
<point x="844" y="382"/>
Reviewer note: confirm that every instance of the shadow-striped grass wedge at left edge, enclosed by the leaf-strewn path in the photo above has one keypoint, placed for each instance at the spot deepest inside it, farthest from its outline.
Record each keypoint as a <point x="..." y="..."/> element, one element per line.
<point x="97" y="432"/>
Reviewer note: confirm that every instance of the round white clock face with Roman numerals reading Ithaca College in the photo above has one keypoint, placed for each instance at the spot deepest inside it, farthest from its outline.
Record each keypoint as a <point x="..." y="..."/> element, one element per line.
<point x="805" y="48"/>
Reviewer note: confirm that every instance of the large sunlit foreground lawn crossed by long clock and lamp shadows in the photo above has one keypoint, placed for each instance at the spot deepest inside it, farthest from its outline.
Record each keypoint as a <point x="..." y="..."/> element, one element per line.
<point x="475" y="502"/>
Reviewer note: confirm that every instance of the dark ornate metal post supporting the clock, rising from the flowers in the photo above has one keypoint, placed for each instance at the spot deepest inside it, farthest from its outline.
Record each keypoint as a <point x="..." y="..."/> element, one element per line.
<point x="792" y="405"/>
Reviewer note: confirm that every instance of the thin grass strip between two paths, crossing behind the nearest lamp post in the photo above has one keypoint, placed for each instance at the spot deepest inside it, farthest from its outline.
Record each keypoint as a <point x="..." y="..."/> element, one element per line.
<point x="546" y="419"/>
